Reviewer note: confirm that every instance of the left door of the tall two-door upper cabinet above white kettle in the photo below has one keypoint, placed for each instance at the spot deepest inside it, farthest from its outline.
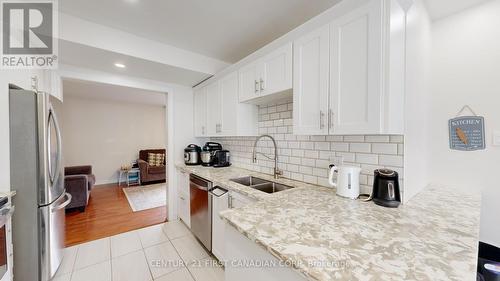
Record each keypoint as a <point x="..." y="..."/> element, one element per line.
<point x="310" y="83"/>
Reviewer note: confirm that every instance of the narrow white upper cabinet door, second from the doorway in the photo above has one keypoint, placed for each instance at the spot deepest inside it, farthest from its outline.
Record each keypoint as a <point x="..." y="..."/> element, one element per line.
<point x="214" y="109"/>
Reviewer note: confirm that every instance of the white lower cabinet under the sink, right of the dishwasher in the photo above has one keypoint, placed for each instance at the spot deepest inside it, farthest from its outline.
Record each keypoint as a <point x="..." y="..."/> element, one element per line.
<point x="227" y="201"/>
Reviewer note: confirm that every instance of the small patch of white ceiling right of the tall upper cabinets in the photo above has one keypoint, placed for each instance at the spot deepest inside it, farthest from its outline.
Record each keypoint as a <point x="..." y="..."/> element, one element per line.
<point x="439" y="9"/>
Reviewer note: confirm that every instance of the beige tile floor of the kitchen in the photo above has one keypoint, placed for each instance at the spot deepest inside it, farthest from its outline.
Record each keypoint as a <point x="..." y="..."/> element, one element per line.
<point x="164" y="252"/>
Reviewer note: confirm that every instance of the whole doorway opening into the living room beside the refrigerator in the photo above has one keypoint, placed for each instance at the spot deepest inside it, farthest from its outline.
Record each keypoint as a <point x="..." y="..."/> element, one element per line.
<point x="116" y="138"/>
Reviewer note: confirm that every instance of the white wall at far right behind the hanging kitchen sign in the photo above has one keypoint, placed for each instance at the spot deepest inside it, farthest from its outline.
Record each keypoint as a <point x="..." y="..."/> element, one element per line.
<point x="466" y="70"/>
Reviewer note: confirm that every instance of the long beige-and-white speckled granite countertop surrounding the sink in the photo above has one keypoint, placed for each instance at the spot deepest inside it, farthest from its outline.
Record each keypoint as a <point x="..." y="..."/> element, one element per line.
<point x="432" y="237"/>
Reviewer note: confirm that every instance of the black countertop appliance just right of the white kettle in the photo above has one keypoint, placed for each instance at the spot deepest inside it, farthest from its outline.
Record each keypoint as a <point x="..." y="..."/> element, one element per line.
<point x="386" y="190"/>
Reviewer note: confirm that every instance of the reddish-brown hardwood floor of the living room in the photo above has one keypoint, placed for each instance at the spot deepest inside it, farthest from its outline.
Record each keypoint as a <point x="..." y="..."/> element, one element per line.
<point x="108" y="213"/>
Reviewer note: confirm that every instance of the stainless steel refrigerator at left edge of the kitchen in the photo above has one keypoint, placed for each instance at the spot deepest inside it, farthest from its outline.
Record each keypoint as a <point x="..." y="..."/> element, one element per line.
<point x="36" y="173"/>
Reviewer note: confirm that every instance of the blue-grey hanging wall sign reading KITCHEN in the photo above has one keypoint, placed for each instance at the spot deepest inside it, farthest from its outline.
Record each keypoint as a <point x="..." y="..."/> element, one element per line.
<point x="467" y="133"/>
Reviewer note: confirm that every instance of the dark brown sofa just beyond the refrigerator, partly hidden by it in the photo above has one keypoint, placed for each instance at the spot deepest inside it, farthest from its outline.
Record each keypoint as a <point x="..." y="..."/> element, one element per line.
<point x="78" y="181"/>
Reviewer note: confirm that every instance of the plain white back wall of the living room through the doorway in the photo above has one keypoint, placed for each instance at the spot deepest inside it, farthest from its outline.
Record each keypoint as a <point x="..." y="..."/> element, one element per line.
<point x="107" y="134"/>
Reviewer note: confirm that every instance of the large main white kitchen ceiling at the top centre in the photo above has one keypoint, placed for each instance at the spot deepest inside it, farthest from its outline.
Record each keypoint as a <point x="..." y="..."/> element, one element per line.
<point x="227" y="30"/>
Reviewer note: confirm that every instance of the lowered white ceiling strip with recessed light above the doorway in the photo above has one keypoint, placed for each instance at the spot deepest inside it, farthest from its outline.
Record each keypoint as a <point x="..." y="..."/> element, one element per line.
<point x="88" y="57"/>
